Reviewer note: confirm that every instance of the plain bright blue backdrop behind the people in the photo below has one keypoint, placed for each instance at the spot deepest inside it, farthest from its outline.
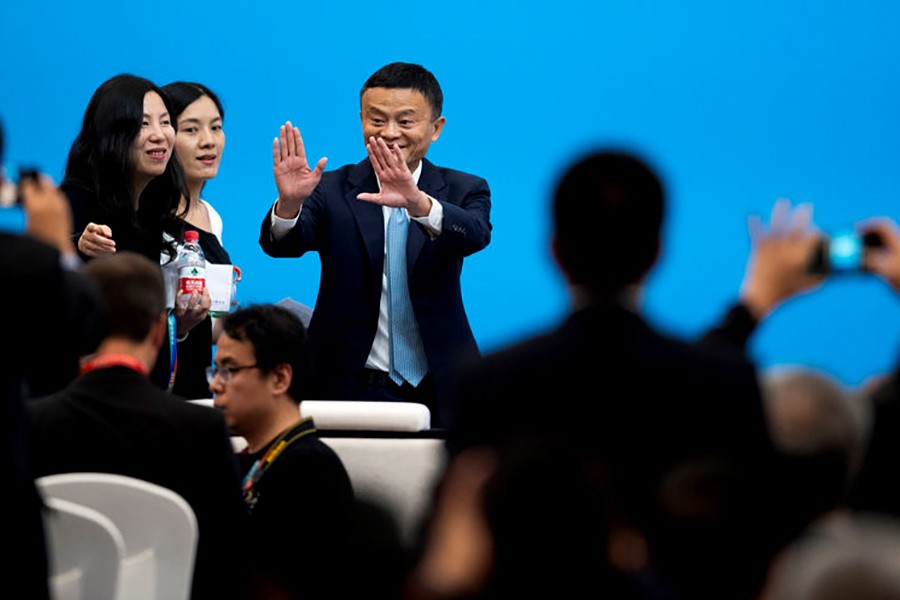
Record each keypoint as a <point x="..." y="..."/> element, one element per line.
<point x="736" y="104"/>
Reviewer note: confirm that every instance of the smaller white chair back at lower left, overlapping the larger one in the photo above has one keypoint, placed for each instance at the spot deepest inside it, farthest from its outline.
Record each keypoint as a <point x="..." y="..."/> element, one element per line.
<point x="84" y="552"/>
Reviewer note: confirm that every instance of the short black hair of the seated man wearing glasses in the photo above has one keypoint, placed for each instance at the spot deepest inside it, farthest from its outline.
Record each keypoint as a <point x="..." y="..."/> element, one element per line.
<point x="278" y="337"/>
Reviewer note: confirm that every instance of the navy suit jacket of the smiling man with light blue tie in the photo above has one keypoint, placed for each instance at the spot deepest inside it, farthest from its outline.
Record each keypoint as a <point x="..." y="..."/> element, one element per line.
<point x="348" y="234"/>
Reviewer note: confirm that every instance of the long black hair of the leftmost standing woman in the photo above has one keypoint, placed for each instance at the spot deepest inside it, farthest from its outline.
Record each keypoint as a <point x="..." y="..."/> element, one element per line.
<point x="100" y="158"/>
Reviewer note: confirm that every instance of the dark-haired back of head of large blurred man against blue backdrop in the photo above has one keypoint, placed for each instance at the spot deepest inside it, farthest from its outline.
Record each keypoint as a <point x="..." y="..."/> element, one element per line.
<point x="608" y="212"/>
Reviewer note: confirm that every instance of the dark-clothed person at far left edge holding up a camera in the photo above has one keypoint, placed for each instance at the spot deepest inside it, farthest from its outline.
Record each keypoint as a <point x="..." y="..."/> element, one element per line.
<point x="51" y="316"/>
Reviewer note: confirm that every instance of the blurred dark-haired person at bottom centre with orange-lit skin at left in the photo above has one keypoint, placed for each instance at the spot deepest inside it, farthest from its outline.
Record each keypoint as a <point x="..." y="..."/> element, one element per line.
<point x="523" y="519"/>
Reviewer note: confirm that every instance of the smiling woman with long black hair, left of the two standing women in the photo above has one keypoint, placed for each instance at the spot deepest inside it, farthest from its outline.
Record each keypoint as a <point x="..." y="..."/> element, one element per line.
<point x="125" y="191"/>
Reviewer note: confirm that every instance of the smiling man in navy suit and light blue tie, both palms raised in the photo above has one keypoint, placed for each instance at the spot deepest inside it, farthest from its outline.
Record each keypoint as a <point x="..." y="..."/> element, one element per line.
<point x="345" y="216"/>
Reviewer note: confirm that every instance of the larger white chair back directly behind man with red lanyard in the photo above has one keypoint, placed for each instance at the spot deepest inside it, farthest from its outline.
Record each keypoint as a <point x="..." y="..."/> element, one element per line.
<point x="158" y="527"/>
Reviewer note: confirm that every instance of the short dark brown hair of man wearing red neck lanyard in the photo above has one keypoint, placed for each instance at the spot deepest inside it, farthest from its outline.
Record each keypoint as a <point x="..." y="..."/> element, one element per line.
<point x="133" y="291"/>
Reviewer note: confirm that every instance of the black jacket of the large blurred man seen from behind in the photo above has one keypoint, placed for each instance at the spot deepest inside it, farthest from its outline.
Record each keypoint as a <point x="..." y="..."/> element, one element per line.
<point x="616" y="390"/>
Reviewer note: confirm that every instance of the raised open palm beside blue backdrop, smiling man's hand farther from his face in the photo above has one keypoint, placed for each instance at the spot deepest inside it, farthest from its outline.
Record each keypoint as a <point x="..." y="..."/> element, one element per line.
<point x="294" y="178"/>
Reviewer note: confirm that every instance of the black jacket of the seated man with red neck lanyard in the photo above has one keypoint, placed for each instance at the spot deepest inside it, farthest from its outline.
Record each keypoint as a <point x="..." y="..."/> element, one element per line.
<point x="114" y="420"/>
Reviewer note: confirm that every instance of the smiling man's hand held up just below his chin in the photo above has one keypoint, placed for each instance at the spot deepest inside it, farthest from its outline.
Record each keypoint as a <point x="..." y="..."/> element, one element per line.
<point x="398" y="189"/>
